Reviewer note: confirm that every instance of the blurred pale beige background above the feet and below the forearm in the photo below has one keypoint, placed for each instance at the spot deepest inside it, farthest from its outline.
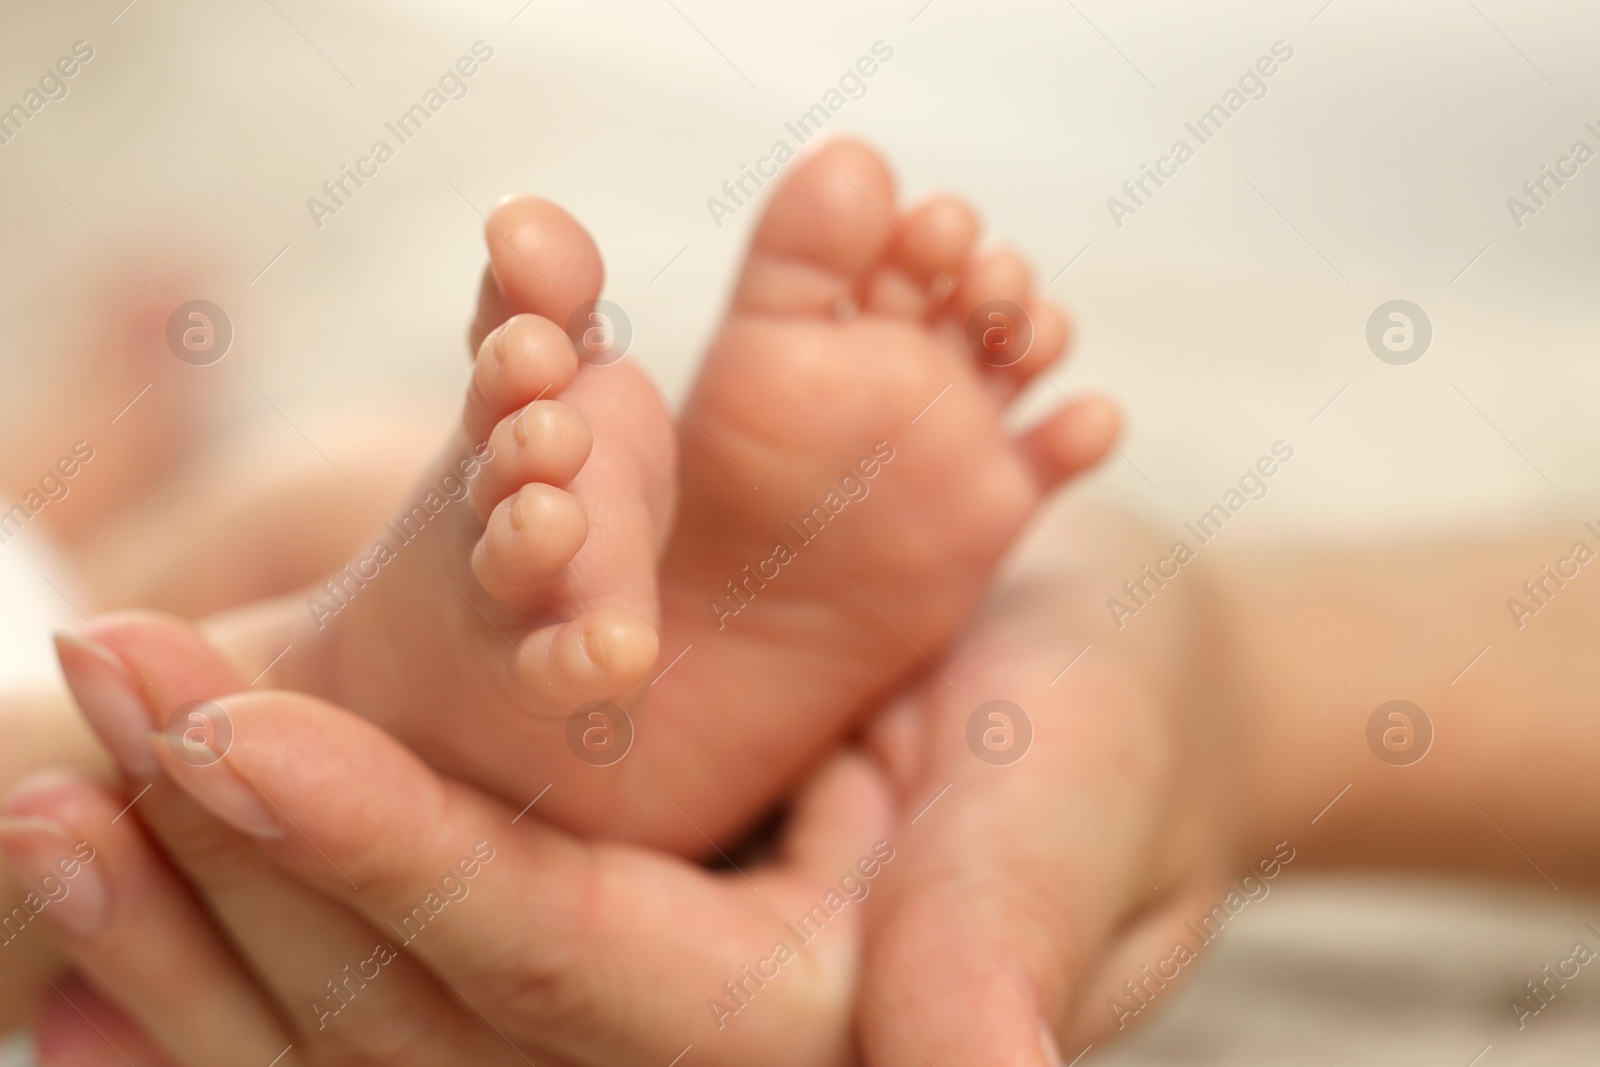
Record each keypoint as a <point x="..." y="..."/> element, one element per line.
<point x="1386" y="148"/>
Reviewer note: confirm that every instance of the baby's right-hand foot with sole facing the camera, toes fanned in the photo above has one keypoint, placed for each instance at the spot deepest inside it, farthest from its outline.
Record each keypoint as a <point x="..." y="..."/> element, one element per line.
<point x="849" y="487"/>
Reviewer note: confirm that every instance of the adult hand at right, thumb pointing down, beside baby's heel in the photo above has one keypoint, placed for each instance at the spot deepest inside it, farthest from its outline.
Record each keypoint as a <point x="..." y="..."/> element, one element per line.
<point x="1054" y="852"/>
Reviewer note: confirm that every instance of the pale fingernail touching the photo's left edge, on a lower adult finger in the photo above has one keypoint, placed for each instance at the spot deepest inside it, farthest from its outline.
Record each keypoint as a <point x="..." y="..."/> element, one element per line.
<point x="58" y="876"/>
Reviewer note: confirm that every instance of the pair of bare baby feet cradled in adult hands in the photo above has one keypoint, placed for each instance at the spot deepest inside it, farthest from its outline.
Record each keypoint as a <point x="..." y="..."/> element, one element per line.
<point x="658" y="629"/>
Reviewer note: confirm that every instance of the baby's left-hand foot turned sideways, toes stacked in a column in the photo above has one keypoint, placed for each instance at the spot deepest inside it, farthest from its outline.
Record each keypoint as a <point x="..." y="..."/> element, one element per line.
<point x="519" y="581"/>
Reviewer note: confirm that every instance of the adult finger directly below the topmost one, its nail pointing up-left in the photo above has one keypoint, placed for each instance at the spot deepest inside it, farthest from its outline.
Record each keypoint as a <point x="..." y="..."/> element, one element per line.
<point x="345" y="988"/>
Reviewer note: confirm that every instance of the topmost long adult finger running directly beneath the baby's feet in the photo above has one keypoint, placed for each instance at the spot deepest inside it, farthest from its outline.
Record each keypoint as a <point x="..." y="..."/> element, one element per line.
<point x="601" y="954"/>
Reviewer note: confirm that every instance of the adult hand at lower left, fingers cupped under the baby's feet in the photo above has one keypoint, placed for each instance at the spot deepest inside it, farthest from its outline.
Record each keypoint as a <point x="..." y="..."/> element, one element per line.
<point x="359" y="908"/>
